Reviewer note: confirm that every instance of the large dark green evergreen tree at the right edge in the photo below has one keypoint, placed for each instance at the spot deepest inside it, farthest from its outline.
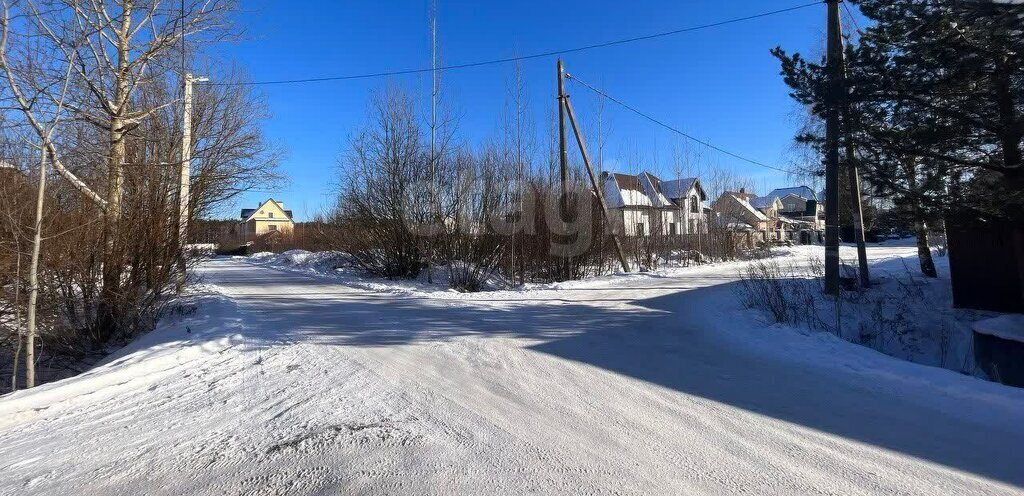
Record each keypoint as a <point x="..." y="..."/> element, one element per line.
<point x="935" y="96"/>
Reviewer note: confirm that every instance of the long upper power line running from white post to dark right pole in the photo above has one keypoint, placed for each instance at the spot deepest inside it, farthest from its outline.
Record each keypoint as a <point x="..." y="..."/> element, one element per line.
<point x="522" y="58"/>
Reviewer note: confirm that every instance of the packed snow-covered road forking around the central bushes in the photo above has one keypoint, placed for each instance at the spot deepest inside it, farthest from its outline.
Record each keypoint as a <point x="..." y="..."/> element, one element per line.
<point x="286" y="384"/>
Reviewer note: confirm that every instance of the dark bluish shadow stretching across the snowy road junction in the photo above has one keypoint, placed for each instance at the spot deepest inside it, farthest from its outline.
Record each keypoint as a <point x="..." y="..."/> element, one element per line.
<point x="654" y="341"/>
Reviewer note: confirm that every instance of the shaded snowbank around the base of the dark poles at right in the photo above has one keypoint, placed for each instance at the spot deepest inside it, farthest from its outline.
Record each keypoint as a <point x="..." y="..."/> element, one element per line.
<point x="904" y="314"/>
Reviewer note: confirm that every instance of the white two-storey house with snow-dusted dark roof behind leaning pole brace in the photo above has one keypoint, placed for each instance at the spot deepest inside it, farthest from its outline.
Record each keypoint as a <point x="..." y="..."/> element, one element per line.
<point x="645" y="204"/>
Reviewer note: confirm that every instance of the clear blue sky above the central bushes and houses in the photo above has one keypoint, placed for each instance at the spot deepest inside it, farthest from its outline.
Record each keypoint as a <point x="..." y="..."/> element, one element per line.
<point x="720" y="85"/>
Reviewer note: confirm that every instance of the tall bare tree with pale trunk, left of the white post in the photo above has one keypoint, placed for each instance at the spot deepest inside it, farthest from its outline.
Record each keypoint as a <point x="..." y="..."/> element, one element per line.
<point x="116" y="52"/>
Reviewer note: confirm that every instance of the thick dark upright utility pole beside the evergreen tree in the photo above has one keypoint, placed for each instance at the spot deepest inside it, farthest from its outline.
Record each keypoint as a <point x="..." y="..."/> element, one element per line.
<point x="835" y="56"/>
